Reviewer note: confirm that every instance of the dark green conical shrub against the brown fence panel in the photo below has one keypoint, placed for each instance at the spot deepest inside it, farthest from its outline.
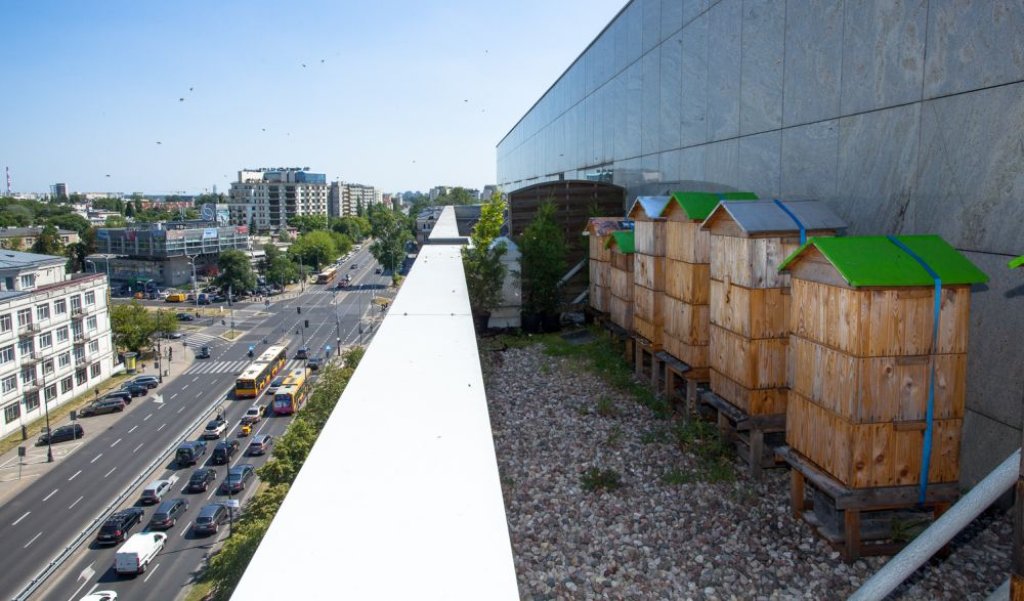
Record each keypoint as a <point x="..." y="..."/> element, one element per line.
<point x="543" y="248"/>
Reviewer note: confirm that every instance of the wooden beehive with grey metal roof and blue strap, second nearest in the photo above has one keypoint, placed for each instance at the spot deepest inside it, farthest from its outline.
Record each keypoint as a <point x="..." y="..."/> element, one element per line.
<point x="749" y="298"/>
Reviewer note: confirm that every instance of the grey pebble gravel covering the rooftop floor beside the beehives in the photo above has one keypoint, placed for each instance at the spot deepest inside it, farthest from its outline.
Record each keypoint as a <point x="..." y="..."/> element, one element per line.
<point x="651" y="540"/>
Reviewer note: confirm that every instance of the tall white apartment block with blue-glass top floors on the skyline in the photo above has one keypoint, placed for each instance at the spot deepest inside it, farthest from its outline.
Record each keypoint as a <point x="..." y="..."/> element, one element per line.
<point x="268" y="198"/>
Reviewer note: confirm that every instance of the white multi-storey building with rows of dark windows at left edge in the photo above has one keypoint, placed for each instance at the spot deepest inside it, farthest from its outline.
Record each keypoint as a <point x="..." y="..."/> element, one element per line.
<point x="55" y="336"/>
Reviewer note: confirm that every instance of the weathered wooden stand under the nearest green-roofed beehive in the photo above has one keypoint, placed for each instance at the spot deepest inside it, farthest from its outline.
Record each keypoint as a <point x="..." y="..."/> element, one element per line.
<point x="859" y="523"/>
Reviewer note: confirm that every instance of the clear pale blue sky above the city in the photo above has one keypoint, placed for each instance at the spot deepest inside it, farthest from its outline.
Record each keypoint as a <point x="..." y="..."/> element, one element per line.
<point x="159" y="98"/>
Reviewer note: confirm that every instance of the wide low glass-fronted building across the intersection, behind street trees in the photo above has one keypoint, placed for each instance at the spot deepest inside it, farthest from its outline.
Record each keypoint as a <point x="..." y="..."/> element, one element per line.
<point x="165" y="253"/>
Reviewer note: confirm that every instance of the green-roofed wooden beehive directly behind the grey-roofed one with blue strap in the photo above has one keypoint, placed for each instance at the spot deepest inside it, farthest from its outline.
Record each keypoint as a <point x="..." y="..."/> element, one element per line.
<point x="688" y="273"/>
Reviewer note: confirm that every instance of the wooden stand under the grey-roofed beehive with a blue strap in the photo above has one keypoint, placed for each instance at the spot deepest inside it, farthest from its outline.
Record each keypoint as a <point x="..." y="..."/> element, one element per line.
<point x="753" y="437"/>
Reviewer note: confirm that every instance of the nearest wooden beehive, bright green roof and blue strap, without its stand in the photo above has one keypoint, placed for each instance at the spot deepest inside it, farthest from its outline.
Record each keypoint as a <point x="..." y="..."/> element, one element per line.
<point x="865" y="358"/>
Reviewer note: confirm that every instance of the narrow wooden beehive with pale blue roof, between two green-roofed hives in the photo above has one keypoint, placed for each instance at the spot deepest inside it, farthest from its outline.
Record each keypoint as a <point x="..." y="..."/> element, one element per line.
<point x="649" y="272"/>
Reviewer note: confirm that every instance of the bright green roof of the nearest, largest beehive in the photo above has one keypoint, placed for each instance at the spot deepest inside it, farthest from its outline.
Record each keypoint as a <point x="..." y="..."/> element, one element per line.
<point x="875" y="261"/>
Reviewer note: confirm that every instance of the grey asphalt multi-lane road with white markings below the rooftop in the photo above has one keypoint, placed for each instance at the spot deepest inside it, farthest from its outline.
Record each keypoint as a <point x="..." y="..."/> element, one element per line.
<point x="91" y="475"/>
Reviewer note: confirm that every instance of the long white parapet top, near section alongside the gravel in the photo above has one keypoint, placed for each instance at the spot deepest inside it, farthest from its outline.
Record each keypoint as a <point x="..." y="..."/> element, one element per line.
<point x="400" y="499"/>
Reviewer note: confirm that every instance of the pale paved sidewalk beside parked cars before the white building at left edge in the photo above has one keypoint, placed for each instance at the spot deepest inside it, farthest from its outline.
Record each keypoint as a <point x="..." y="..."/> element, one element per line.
<point x="14" y="480"/>
